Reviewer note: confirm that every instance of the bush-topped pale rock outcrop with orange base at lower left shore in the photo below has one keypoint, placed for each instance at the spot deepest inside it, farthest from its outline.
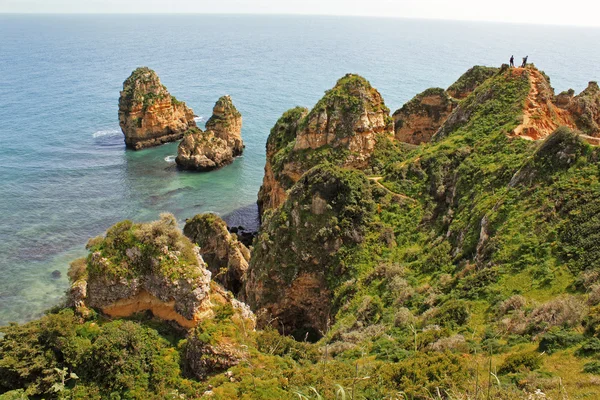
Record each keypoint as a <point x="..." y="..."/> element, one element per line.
<point x="147" y="266"/>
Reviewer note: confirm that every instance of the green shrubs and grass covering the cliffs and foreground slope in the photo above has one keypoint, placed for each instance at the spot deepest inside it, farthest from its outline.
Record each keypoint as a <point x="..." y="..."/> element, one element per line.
<point x="465" y="268"/>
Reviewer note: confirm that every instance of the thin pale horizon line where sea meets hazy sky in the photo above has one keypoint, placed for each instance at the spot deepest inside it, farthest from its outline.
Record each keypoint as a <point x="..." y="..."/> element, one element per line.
<point x="166" y="13"/>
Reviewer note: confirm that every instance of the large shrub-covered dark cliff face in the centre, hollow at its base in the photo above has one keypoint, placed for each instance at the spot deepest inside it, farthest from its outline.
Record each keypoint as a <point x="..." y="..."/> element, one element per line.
<point x="295" y="261"/>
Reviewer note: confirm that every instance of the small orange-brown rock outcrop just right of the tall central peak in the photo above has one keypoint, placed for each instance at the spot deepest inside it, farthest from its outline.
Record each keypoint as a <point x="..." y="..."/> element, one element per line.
<point x="419" y="119"/>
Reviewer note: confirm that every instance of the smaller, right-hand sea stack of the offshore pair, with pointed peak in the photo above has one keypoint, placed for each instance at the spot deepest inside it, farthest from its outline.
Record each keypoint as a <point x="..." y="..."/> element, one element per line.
<point x="218" y="145"/>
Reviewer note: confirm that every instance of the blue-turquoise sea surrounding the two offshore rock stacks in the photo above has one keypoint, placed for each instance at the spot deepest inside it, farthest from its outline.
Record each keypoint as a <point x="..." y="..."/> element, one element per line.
<point x="65" y="174"/>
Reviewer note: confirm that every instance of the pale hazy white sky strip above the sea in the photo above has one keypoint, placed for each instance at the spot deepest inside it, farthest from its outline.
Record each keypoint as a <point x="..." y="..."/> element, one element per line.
<point x="572" y="12"/>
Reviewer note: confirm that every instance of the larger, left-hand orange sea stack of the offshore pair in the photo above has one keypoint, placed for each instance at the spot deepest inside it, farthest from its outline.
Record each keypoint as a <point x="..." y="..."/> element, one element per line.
<point x="148" y="114"/>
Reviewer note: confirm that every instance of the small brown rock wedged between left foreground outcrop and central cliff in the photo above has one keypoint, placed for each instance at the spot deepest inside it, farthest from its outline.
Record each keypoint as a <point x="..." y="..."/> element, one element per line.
<point x="226" y="257"/>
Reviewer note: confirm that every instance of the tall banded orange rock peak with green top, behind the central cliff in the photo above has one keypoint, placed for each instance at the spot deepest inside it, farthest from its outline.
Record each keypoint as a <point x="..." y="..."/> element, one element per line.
<point x="342" y="128"/>
